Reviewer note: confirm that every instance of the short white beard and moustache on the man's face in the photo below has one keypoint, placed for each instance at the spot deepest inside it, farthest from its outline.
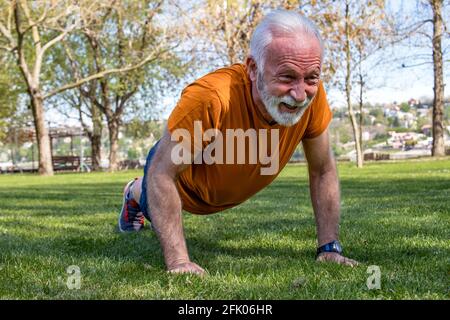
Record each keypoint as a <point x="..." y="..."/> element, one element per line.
<point x="272" y="104"/>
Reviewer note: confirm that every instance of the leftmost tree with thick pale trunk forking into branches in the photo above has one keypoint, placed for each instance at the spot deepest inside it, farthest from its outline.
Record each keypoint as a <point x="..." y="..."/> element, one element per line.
<point x="28" y="30"/>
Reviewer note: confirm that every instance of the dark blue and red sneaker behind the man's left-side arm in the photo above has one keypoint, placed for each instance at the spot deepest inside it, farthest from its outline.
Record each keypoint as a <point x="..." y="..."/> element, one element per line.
<point x="130" y="218"/>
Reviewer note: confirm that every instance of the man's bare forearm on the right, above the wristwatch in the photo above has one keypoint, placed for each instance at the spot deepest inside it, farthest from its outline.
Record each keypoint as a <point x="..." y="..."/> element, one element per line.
<point x="324" y="187"/>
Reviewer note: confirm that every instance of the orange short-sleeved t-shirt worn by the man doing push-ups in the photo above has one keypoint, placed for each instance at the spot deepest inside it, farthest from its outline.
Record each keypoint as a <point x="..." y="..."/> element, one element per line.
<point x="222" y="100"/>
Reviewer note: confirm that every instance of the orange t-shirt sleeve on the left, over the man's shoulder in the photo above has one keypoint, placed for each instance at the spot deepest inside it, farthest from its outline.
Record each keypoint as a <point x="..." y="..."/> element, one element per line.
<point x="197" y="110"/>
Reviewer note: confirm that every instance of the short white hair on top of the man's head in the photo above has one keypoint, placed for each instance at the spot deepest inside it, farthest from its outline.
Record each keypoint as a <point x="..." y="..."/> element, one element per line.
<point x="280" y="22"/>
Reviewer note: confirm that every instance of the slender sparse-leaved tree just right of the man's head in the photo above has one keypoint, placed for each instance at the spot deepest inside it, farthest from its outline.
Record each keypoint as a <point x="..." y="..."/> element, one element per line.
<point x="353" y="32"/>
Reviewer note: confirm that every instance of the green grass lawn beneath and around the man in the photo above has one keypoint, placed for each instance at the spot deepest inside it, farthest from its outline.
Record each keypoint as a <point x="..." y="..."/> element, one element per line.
<point x="394" y="215"/>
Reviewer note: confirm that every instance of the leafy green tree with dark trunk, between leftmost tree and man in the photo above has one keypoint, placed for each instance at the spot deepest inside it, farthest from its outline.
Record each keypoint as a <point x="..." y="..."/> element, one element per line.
<point x="126" y="33"/>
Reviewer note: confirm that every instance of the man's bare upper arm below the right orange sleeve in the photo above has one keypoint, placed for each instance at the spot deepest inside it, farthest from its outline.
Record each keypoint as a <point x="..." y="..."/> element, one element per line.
<point x="318" y="153"/>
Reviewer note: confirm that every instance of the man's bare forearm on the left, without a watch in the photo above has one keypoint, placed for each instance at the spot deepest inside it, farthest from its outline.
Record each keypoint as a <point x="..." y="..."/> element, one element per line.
<point x="165" y="213"/>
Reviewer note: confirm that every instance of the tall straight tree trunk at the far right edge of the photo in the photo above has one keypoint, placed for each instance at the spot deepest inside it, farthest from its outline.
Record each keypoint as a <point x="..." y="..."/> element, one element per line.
<point x="438" y="149"/>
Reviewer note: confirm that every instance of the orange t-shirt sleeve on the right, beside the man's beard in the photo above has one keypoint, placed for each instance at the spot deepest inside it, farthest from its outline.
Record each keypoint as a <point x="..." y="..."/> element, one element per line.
<point x="321" y="115"/>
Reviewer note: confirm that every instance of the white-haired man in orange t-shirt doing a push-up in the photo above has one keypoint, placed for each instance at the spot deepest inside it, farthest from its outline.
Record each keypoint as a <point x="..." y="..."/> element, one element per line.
<point x="278" y="92"/>
